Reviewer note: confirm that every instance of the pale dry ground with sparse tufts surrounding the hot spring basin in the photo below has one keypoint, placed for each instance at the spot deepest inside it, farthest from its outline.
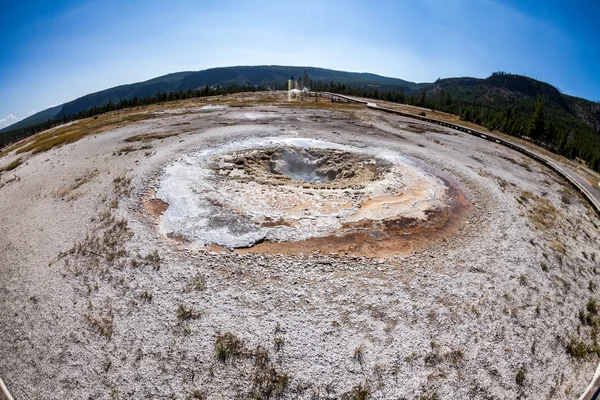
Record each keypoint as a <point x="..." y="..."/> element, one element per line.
<point x="95" y="302"/>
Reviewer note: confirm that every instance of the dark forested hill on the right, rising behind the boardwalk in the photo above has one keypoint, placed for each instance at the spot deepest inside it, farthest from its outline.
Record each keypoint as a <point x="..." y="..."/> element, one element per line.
<point x="514" y="104"/>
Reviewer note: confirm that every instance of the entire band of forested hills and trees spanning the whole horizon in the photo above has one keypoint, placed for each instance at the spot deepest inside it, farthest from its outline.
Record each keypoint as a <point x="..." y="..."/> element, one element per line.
<point x="513" y="104"/>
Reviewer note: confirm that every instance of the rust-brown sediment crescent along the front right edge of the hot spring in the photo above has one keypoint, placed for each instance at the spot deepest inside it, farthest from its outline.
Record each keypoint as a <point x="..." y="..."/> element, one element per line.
<point x="381" y="238"/>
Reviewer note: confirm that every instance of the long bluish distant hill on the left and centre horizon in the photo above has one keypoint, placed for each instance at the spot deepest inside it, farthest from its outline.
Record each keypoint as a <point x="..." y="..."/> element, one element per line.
<point x="275" y="77"/>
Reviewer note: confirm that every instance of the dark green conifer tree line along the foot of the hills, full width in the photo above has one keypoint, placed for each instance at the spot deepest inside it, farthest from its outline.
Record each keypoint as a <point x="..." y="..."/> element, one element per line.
<point x="542" y="119"/>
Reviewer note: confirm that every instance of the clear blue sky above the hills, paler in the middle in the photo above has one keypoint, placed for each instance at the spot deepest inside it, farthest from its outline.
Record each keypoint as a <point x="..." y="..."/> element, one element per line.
<point x="56" y="51"/>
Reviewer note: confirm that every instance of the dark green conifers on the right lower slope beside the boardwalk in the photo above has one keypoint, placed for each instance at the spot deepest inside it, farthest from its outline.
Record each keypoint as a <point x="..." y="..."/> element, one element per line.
<point x="539" y="118"/>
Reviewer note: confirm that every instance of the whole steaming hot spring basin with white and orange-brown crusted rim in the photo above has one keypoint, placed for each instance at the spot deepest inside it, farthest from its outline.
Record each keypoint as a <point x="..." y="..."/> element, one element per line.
<point x="298" y="195"/>
